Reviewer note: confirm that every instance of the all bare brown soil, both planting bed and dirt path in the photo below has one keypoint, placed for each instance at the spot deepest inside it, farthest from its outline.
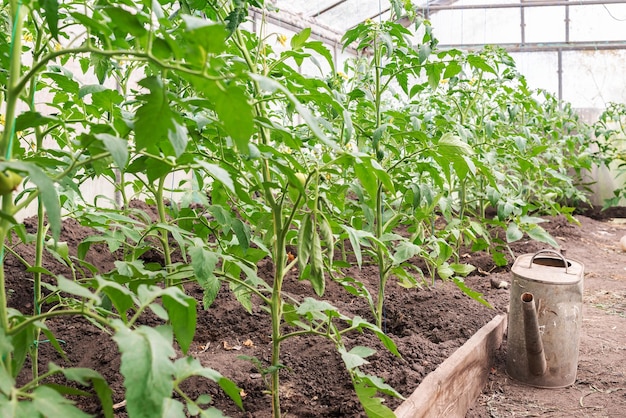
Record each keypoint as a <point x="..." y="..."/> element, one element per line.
<point x="427" y="325"/>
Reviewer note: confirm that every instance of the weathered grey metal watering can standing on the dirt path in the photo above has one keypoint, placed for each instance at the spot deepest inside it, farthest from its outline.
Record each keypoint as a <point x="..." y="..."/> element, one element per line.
<point x="545" y="318"/>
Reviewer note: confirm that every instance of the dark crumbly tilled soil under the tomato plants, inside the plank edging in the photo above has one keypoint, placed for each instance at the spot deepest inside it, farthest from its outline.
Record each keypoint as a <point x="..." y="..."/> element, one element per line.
<point x="427" y="324"/>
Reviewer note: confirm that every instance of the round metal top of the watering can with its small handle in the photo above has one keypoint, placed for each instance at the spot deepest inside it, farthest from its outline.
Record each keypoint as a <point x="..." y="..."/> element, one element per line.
<point x="548" y="266"/>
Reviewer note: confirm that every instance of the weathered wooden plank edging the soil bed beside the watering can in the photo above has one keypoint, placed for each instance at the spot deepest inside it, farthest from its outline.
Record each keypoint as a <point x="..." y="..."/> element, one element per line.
<point x="453" y="387"/>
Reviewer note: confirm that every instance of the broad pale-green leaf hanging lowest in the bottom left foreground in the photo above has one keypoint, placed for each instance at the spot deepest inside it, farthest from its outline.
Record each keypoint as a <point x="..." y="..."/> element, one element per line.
<point x="146" y="367"/>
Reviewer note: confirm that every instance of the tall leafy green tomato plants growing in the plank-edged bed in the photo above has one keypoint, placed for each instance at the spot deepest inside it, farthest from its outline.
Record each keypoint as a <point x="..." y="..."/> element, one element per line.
<point x="405" y="152"/>
